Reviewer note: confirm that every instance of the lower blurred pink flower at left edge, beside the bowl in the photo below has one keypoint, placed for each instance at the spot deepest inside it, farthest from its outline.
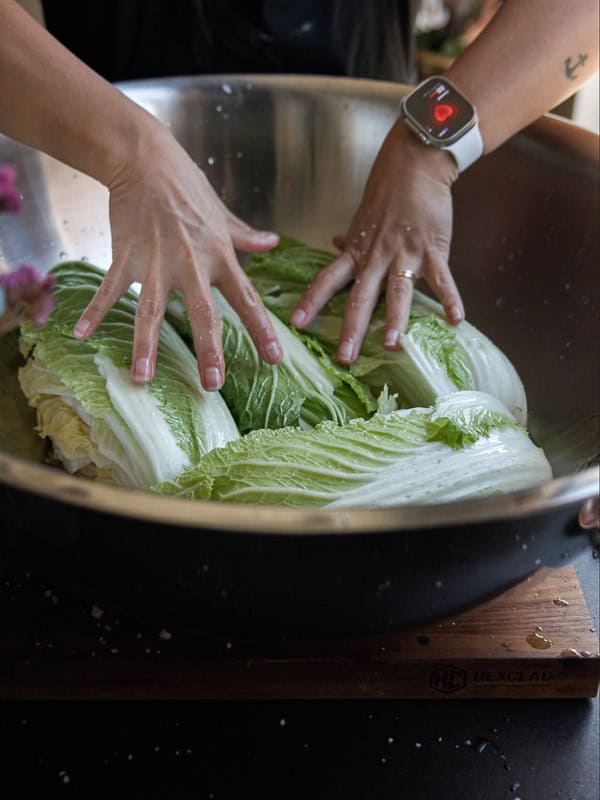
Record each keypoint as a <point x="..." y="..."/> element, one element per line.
<point x="28" y="297"/>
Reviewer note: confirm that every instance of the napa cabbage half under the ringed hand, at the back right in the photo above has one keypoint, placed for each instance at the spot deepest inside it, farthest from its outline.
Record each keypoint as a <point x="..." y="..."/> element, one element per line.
<point x="435" y="359"/>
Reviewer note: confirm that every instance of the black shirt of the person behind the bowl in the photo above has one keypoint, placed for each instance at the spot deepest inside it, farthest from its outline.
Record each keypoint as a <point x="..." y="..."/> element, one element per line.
<point x="130" y="39"/>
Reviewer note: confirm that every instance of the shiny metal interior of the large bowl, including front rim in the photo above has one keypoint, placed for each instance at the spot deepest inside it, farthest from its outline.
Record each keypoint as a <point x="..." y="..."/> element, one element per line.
<point x="292" y="154"/>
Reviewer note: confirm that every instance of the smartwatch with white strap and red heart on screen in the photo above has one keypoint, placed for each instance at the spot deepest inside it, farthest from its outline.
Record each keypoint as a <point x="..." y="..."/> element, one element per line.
<point x="443" y="117"/>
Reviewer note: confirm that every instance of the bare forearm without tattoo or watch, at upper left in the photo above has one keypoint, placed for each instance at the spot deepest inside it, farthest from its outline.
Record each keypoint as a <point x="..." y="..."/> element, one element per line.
<point x="51" y="101"/>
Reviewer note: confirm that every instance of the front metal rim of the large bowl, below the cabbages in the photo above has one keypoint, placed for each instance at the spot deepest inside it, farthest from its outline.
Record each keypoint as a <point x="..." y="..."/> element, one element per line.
<point x="201" y="515"/>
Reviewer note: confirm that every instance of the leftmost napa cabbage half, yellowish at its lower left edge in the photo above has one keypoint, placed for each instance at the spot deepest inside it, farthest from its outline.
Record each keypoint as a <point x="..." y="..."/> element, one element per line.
<point x="101" y="424"/>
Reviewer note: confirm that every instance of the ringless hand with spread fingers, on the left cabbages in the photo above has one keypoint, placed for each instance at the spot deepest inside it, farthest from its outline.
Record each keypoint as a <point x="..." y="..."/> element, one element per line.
<point x="170" y="231"/>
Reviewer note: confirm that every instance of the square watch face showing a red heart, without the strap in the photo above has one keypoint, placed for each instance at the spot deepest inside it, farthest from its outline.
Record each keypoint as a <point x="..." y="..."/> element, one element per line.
<point x="439" y="110"/>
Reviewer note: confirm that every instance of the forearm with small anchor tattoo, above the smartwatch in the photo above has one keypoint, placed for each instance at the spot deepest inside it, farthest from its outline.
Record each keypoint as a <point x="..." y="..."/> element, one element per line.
<point x="532" y="56"/>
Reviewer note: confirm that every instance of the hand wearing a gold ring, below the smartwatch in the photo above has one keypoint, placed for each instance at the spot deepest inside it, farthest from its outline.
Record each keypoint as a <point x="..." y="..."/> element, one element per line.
<point x="404" y="222"/>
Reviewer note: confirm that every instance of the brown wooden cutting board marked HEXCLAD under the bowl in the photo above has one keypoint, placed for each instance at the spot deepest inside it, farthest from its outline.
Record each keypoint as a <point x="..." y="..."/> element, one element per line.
<point x="535" y="641"/>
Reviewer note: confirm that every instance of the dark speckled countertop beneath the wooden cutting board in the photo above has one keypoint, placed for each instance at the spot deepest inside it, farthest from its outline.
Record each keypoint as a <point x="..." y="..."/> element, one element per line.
<point x="368" y="749"/>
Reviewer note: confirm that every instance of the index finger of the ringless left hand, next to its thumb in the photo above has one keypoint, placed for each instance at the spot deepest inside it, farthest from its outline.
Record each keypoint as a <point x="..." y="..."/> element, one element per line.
<point x="244" y="298"/>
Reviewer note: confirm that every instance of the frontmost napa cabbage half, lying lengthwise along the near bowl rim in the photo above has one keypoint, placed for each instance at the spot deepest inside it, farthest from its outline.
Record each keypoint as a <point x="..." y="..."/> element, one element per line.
<point x="466" y="445"/>
